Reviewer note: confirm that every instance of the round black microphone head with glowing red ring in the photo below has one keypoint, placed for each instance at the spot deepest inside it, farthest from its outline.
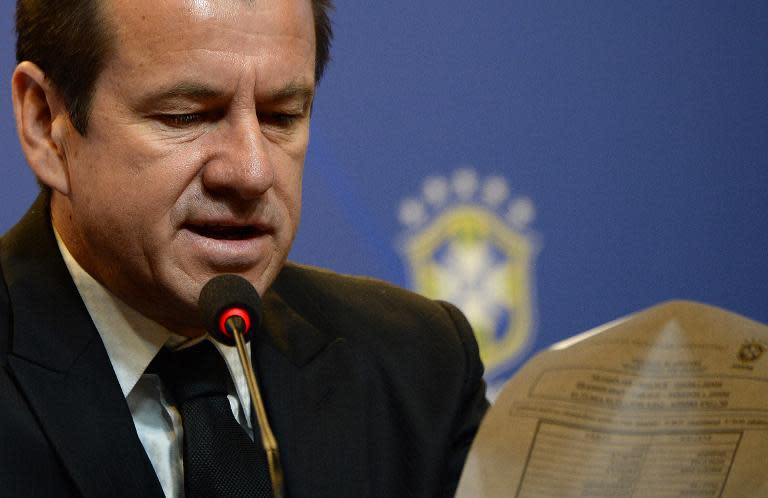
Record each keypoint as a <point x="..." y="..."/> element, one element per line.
<point x="225" y="296"/>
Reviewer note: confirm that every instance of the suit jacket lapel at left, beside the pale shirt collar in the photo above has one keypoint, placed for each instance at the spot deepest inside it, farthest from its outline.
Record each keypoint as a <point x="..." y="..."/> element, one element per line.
<point x="62" y="368"/>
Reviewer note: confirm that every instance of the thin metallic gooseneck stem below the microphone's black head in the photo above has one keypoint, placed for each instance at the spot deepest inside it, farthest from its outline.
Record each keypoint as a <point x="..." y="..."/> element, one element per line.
<point x="236" y="325"/>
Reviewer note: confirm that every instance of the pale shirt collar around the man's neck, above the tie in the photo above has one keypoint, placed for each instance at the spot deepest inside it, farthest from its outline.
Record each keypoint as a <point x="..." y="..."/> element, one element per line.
<point x="131" y="339"/>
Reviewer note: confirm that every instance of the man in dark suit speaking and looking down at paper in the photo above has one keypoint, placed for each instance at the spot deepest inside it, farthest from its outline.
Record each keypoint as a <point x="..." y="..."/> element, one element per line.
<point x="169" y="137"/>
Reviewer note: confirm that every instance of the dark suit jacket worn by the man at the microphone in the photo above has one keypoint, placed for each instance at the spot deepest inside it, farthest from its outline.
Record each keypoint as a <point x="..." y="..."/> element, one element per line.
<point x="371" y="390"/>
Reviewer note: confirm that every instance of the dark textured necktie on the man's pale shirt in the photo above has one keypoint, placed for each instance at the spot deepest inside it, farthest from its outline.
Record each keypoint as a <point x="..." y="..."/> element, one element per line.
<point x="220" y="460"/>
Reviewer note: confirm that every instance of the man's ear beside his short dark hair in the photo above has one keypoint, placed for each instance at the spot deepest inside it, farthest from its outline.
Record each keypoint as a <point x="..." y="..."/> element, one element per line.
<point x="41" y="121"/>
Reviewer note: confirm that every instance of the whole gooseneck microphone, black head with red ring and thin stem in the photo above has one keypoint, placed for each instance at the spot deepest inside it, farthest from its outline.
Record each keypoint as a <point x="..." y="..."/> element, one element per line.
<point x="231" y="309"/>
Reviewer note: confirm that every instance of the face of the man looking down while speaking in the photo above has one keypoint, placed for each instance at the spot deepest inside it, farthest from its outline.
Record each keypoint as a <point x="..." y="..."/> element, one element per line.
<point x="192" y="162"/>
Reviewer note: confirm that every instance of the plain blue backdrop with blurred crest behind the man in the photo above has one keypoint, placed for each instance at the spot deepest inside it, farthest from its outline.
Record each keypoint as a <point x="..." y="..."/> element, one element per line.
<point x="621" y="146"/>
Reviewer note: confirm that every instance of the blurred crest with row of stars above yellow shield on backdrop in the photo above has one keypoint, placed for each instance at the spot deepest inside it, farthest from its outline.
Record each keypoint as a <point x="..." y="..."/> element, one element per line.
<point x="467" y="241"/>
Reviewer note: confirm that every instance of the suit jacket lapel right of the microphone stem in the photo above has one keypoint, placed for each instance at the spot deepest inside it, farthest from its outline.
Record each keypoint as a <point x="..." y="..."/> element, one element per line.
<point x="313" y="399"/>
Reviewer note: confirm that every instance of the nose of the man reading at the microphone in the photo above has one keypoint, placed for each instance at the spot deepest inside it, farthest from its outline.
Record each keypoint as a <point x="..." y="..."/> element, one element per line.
<point x="241" y="166"/>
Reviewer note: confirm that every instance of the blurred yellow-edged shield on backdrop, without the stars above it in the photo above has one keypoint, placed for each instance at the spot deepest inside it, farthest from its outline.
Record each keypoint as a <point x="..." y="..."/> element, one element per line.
<point x="470" y="257"/>
